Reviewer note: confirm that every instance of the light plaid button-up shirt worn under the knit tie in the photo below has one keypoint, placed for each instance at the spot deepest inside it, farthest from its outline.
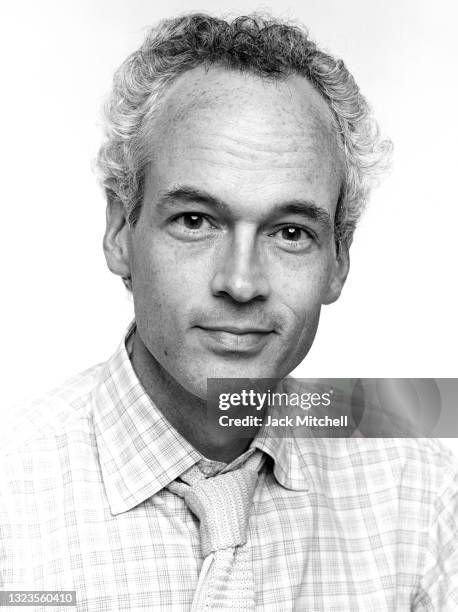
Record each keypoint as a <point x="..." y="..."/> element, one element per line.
<point x="336" y="525"/>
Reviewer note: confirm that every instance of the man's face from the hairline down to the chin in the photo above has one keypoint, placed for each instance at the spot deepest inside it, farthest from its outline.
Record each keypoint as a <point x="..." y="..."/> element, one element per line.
<point x="233" y="253"/>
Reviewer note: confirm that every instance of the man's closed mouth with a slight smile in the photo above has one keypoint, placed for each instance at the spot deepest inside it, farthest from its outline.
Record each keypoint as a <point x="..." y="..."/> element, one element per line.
<point x="229" y="338"/>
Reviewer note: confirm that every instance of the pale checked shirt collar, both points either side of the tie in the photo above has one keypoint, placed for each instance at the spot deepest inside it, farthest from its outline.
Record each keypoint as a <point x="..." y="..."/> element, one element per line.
<point x="140" y="452"/>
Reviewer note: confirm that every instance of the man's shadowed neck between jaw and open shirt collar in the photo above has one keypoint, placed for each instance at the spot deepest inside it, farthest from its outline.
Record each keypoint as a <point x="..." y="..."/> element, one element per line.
<point x="186" y="412"/>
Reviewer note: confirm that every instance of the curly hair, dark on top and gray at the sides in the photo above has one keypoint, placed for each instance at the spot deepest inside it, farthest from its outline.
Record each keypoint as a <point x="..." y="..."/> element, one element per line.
<point x="261" y="45"/>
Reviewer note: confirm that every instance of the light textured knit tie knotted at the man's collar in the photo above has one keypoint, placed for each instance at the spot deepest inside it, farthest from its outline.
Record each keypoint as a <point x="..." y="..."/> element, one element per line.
<point x="222" y="504"/>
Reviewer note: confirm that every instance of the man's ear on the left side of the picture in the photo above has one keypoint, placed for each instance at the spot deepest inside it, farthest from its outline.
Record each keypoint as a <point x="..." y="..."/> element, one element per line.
<point x="116" y="239"/>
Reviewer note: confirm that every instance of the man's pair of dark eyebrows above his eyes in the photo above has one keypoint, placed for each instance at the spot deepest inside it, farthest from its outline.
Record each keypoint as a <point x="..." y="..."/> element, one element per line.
<point x="186" y="194"/>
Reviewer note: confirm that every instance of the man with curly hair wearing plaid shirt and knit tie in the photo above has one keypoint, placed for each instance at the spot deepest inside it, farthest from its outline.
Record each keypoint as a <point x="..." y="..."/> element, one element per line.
<point x="237" y="161"/>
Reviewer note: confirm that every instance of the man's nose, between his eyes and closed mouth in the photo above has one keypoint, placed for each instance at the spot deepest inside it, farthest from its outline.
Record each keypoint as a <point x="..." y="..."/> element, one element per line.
<point x="240" y="274"/>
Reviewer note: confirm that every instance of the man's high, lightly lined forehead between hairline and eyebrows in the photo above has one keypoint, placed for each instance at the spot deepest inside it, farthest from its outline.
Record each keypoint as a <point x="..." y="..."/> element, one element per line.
<point x="241" y="132"/>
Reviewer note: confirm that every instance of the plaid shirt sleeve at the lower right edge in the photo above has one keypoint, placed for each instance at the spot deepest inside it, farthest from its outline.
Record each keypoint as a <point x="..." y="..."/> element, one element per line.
<point x="438" y="590"/>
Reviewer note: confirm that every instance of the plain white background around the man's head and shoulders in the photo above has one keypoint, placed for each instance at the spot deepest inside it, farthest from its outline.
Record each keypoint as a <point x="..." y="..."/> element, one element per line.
<point x="63" y="310"/>
